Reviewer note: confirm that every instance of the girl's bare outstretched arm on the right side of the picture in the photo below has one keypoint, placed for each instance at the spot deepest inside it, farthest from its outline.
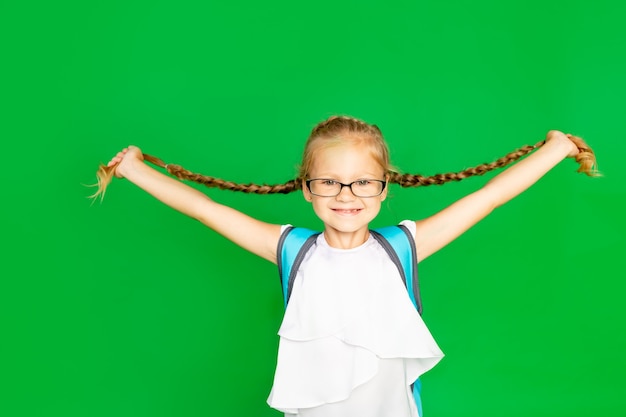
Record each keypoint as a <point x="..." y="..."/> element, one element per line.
<point x="438" y="230"/>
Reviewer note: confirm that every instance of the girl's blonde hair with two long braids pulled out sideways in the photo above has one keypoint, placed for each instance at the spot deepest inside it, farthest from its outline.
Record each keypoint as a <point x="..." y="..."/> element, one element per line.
<point x="339" y="129"/>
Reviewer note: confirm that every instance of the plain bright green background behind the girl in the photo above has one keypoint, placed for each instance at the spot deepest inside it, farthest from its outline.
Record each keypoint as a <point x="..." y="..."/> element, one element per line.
<point x="127" y="308"/>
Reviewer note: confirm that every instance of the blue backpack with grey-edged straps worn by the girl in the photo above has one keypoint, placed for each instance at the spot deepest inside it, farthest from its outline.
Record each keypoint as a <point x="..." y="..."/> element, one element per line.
<point x="397" y="241"/>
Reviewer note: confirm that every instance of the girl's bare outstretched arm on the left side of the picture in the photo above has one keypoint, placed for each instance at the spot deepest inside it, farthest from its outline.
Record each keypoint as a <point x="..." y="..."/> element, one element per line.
<point x="253" y="235"/>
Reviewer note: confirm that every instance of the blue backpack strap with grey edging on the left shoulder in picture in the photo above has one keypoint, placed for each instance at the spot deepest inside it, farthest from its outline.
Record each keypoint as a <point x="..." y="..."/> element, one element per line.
<point x="292" y="246"/>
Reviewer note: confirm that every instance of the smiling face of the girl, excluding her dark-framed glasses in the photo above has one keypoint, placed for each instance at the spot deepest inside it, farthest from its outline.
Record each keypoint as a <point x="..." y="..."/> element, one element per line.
<point x="346" y="214"/>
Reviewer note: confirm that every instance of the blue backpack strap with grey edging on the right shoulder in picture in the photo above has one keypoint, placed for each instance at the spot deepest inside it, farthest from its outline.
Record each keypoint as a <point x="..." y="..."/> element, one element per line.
<point x="399" y="244"/>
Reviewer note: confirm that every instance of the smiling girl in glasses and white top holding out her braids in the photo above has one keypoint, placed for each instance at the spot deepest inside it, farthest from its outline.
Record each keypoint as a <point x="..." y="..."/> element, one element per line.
<point x="351" y="343"/>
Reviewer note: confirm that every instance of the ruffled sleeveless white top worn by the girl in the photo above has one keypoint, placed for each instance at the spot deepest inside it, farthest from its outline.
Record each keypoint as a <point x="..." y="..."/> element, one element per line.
<point x="351" y="341"/>
